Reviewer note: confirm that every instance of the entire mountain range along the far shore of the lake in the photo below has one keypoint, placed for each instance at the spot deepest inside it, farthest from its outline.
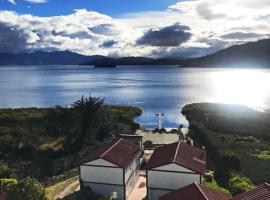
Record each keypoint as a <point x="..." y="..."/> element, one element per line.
<point x="252" y="54"/>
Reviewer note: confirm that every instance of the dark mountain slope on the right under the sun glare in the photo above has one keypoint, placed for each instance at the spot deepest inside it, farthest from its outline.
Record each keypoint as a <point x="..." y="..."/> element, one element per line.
<point x="252" y="54"/>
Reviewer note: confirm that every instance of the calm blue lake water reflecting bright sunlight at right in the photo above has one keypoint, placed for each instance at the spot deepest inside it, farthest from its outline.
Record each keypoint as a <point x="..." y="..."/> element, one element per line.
<point x="154" y="89"/>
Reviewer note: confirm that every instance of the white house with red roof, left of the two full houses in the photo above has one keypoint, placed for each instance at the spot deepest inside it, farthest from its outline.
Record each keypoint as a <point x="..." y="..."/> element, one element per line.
<point x="113" y="168"/>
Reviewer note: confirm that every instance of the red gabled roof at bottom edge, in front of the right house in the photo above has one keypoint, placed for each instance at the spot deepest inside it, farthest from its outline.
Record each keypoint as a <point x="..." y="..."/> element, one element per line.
<point x="195" y="192"/>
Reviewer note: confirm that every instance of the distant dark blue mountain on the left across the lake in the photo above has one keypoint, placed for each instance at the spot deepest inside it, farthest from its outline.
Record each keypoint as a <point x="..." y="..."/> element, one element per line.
<point x="46" y="58"/>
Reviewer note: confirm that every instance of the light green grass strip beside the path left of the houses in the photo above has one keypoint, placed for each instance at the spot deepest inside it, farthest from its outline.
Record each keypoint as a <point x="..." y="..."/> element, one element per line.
<point x="53" y="190"/>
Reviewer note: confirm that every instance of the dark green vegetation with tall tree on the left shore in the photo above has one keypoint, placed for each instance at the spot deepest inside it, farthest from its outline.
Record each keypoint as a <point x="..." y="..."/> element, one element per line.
<point x="45" y="142"/>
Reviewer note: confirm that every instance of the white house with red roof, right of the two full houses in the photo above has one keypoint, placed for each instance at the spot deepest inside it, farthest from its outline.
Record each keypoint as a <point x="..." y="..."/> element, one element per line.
<point x="174" y="166"/>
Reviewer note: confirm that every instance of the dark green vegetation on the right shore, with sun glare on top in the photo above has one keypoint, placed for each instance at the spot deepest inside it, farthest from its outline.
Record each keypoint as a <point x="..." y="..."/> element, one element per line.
<point x="237" y="140"/>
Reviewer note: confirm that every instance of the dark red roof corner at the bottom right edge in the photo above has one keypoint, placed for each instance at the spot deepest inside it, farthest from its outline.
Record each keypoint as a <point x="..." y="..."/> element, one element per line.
<point x="261" y="192"/>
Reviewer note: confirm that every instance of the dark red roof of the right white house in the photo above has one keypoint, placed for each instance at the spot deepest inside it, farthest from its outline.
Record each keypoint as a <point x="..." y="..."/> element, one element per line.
<point x="179" y="153"/>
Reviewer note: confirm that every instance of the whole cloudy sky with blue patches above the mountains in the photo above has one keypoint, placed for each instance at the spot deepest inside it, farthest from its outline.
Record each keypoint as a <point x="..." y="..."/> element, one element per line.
<point x="156" y="28"/>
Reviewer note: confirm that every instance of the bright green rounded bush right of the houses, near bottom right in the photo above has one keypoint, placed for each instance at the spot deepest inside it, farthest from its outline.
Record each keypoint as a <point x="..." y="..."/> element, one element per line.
<point x="239" y="183"/>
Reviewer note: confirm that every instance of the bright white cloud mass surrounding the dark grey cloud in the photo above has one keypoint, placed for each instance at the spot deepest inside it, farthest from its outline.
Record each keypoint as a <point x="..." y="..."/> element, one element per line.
<point x="214" y="24"/>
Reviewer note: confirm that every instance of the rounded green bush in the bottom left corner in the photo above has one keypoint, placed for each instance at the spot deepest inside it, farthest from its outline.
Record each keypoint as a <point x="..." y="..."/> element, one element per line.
<point x="26" y="189"/>
